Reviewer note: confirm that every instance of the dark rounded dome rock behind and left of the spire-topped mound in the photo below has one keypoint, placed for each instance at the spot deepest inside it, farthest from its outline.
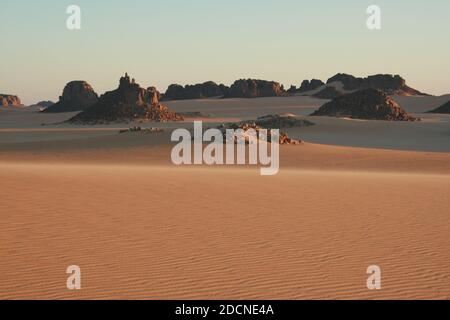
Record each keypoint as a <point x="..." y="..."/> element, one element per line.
<point x="77" y="96"/>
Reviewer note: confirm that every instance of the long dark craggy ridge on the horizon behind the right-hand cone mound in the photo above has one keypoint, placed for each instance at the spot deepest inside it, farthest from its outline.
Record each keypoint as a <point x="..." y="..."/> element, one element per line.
<point x="390" y="84"/>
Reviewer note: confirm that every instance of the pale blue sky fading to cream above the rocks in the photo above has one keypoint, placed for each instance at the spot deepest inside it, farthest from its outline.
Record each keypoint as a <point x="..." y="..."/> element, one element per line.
<point x="160" y="42"/>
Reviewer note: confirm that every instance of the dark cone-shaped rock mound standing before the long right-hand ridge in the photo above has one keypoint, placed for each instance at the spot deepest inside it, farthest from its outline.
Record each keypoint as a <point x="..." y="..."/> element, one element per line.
<point x="369" y="104"/>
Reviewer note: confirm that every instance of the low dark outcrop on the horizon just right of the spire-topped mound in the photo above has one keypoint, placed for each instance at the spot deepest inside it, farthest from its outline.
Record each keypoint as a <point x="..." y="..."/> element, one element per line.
<point x="198" y="91"/>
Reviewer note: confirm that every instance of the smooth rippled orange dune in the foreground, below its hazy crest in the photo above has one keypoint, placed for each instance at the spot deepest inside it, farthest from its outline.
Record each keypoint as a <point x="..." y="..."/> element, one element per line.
<point x="164" y="232"/>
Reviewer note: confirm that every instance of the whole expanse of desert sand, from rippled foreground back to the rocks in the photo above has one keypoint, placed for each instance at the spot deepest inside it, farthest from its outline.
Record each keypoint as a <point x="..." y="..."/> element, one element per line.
<point x="355" y="194"/>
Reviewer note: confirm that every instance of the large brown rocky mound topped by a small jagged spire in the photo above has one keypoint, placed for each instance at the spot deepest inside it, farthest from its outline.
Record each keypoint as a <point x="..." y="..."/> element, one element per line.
<point x="128" y="102"/>
